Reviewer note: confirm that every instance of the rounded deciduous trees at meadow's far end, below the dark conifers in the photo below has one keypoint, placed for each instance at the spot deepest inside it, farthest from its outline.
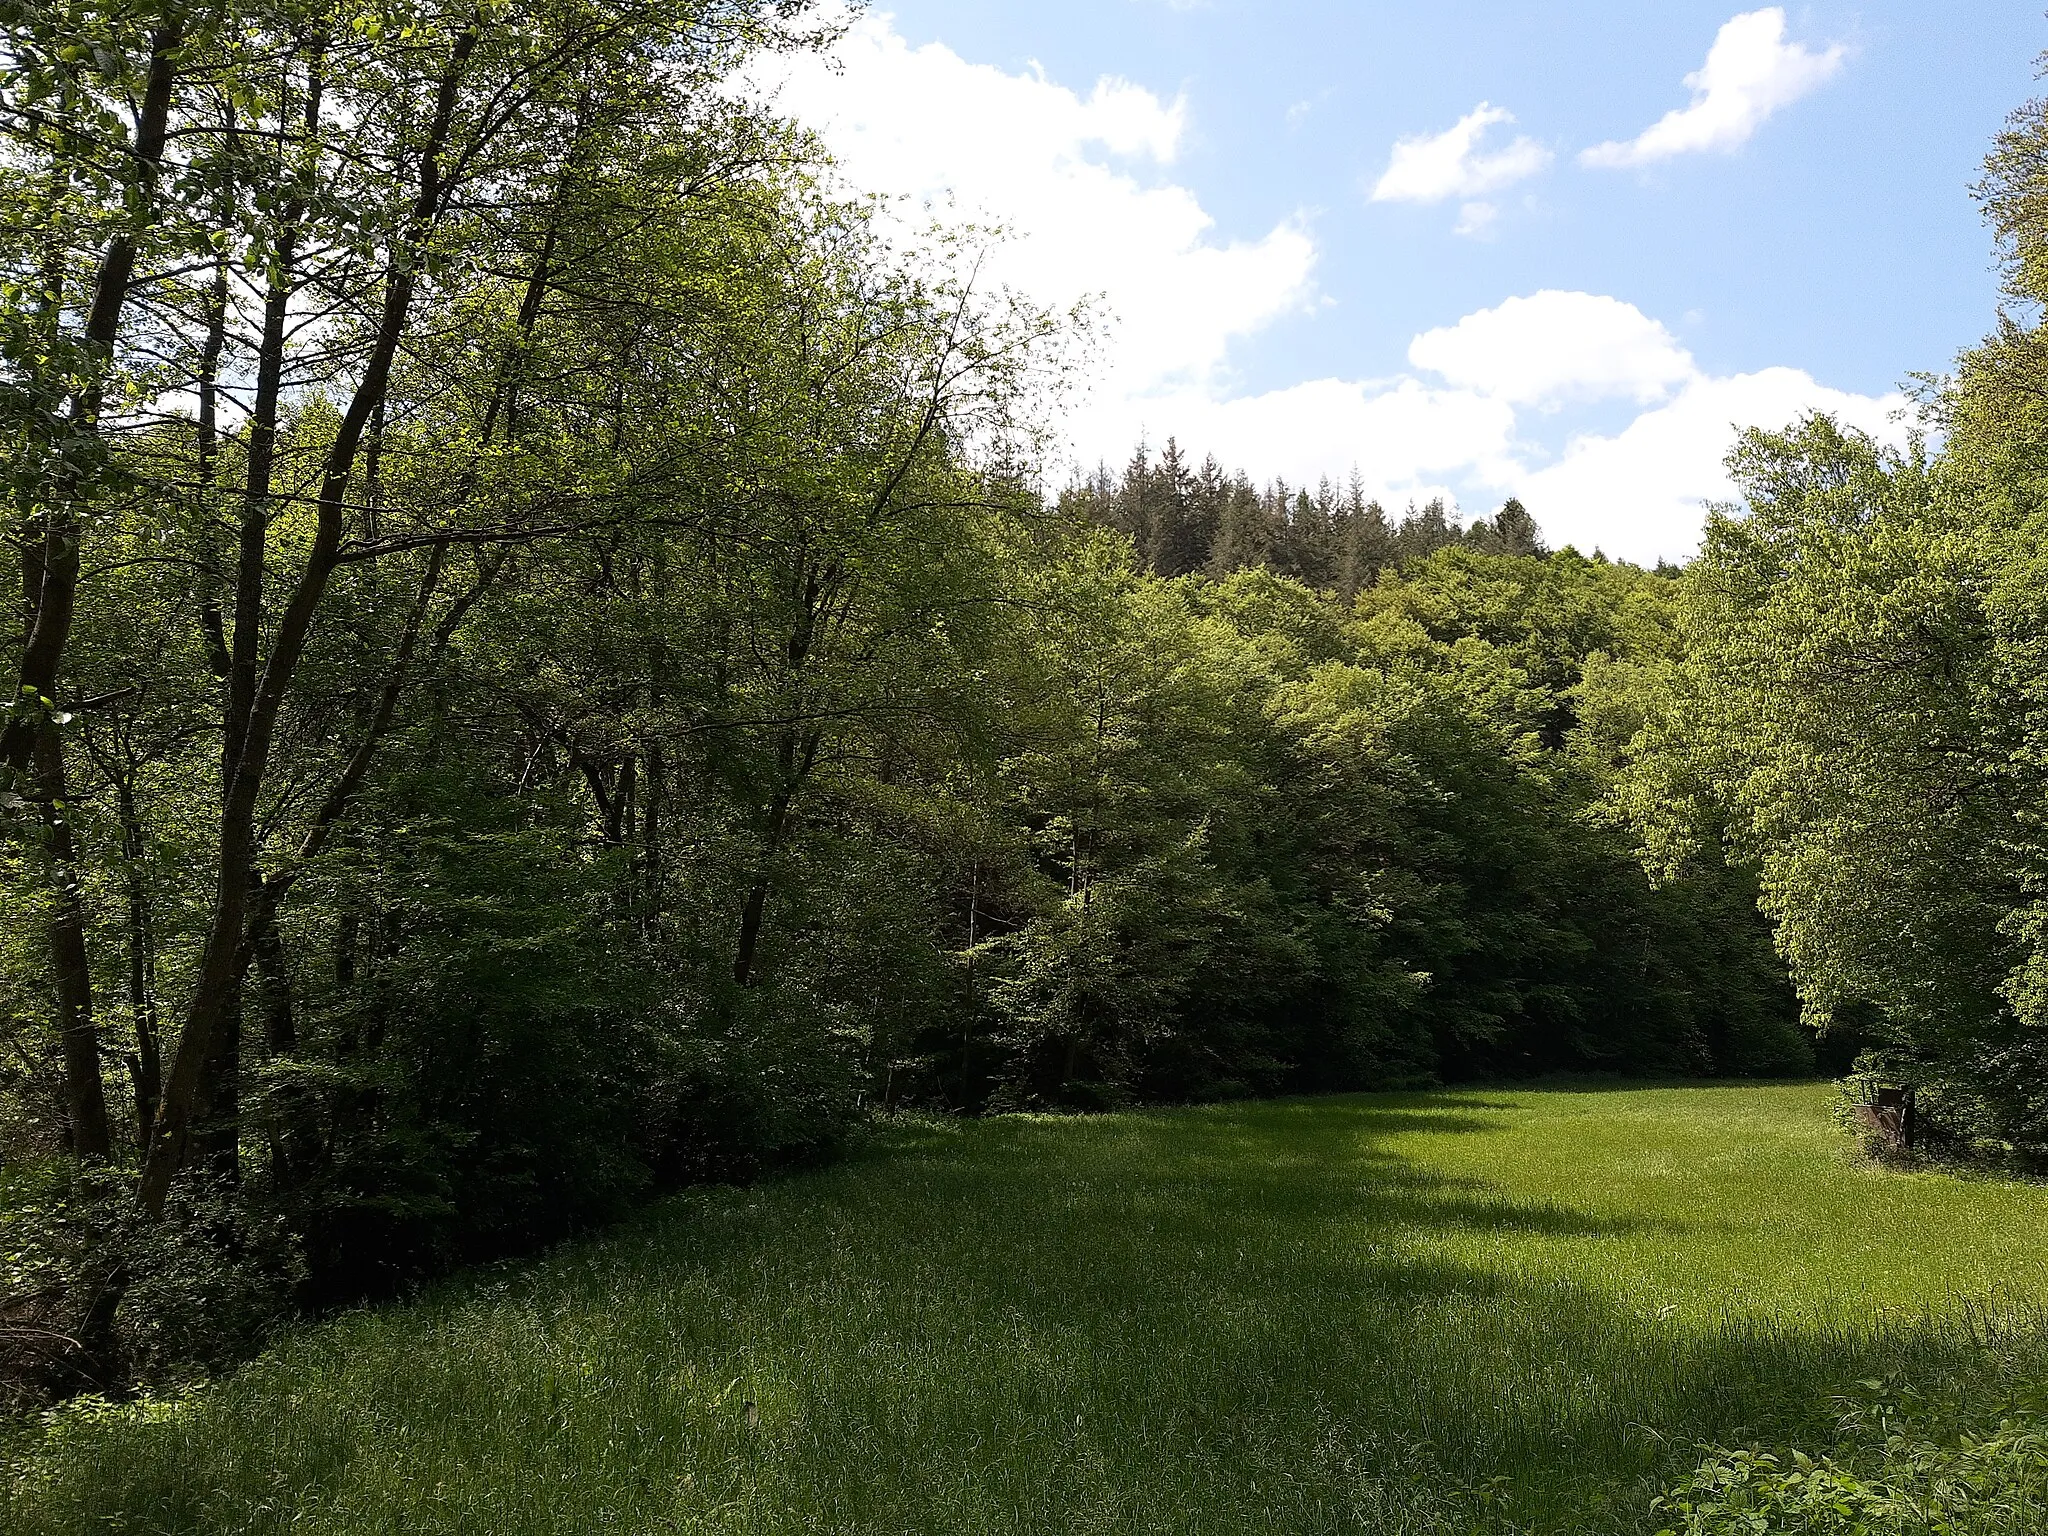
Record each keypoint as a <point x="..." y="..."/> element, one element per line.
<point x="1267" y="843"/>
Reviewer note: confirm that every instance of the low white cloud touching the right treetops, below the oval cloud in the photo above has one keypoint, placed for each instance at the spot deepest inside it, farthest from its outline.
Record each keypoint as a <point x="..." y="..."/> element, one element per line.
<point x="1641" y="495"/>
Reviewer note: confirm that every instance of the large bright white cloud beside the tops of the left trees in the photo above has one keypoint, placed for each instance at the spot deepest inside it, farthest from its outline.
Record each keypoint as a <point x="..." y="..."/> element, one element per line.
<point x="1076" y="185"/>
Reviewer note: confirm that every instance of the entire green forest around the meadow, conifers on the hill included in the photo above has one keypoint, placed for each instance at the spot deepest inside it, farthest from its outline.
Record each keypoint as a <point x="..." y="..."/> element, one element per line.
<point x="546" y="667"/>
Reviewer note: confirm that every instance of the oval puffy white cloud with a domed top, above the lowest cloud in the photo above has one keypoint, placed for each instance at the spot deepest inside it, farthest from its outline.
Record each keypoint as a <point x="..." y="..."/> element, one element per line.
<point x="1558" y="347"/>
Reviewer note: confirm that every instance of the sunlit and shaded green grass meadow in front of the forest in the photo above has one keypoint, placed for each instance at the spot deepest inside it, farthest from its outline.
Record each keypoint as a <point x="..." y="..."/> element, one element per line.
<point x="1383" y="1316"/>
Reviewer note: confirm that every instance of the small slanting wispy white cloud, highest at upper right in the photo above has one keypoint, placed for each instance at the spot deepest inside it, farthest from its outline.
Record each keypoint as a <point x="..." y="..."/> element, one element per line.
<point x="1748" y="75"/>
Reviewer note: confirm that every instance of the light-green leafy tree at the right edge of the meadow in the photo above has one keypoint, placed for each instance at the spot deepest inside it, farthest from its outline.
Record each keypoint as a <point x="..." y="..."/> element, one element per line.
<point x="1850" y="718"/>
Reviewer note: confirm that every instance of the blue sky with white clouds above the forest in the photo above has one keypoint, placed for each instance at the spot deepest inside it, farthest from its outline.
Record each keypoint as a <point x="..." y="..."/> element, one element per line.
<point x="1465" y="249"/>
